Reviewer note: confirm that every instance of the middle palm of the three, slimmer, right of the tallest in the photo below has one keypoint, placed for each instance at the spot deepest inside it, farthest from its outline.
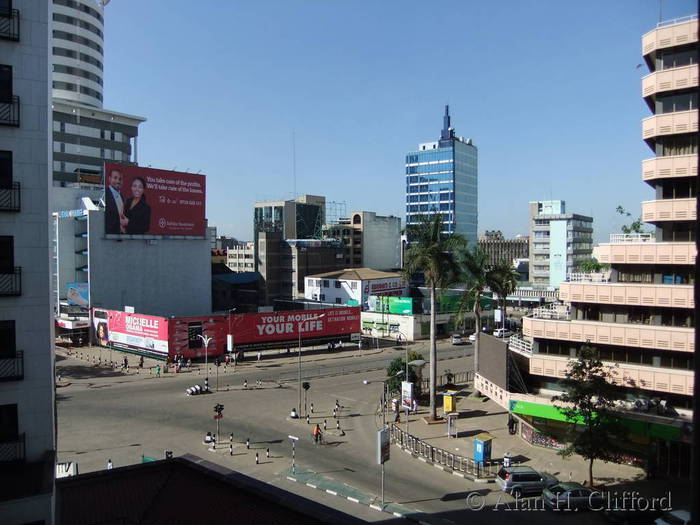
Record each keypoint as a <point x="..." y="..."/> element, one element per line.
<point x="477" y="275"/>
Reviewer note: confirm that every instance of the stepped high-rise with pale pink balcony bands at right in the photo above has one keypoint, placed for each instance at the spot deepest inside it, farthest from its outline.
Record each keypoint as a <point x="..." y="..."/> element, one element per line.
<point x="639" y="313"/>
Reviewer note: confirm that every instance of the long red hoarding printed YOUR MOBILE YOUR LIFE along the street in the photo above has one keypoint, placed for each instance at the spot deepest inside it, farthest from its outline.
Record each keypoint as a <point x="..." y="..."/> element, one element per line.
<point x="281" y="326"/>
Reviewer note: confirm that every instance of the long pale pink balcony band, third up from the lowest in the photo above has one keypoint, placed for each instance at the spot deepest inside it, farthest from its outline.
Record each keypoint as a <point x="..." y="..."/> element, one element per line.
<point x="668" y="295"/>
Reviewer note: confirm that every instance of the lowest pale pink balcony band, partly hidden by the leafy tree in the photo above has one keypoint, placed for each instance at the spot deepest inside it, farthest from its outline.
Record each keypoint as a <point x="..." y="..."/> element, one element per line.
<point x="636" y="376"/>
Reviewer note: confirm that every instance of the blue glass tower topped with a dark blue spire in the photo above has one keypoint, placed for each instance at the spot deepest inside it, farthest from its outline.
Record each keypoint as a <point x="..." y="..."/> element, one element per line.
<point x="441" y="177"/>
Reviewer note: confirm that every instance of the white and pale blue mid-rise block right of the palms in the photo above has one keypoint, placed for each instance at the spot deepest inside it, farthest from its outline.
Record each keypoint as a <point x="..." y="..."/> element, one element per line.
<point x="559" y="242"/>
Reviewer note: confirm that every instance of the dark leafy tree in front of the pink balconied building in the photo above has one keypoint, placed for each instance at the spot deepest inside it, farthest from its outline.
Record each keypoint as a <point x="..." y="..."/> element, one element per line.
<point x="590" y="404"/>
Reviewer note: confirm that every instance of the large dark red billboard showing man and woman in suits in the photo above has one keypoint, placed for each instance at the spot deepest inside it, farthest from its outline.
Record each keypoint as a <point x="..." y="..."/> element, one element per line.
<point x="147" y="201"/>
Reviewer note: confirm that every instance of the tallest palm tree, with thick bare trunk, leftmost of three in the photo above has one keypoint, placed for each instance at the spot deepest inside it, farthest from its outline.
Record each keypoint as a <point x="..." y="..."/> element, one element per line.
<point x="432" y="252"/>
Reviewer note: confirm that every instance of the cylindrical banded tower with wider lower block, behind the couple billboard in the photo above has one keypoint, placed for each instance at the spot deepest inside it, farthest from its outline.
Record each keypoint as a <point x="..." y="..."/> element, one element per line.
<point x="85" y="134"/>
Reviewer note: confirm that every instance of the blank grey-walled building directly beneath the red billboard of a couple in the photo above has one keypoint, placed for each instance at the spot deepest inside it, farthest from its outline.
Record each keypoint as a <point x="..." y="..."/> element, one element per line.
<point x="157" y="276"/>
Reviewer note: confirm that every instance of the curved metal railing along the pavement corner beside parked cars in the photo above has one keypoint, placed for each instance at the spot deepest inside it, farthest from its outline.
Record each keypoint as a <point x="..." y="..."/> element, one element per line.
<point x="444" y="458"/>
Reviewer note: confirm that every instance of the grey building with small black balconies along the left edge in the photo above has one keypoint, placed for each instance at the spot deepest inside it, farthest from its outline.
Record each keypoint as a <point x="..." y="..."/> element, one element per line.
<point x="27" y="439"/>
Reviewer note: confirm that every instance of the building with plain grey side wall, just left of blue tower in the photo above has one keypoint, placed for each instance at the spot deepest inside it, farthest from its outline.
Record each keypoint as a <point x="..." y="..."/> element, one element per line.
<point x="370" y="240"/>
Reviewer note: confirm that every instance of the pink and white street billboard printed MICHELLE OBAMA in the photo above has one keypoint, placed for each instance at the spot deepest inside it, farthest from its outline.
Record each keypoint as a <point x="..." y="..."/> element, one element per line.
<point x="127" y="330"/>
